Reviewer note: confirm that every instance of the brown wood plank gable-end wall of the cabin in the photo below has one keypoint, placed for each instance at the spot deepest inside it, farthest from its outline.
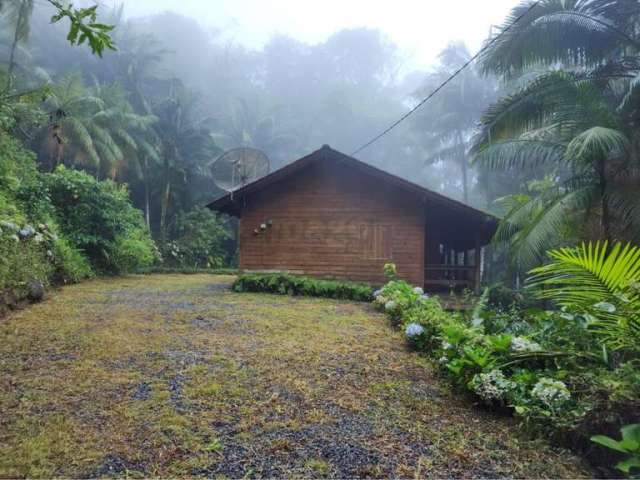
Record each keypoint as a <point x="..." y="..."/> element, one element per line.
<point x="331" y="220"/>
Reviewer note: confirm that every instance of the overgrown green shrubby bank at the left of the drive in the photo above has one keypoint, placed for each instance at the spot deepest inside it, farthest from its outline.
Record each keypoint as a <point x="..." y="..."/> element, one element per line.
<point x="62" y="227"/>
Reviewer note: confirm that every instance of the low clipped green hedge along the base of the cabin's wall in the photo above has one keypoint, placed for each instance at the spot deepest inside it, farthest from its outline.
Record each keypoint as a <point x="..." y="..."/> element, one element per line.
<point x="285" y="284"/>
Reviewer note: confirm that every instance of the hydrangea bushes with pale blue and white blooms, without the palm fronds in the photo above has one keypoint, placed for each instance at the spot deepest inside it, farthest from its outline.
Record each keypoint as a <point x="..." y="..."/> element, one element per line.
<point x="545" y="366"/>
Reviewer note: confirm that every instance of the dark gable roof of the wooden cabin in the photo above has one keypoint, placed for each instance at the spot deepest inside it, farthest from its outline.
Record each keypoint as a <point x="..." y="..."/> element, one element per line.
<point x="230" y="203"/>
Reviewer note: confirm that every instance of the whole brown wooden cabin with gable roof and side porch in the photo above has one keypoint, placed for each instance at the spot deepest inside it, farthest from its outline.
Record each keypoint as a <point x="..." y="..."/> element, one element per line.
<point x="330" y="215"/>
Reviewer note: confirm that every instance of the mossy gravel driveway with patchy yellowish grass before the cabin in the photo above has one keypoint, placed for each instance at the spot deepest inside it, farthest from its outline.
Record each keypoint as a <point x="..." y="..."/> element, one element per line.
<point x="176" y="375"/>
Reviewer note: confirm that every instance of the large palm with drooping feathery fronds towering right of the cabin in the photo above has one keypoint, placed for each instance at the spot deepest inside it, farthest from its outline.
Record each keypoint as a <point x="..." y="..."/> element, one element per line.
<point x="579" y="122"/>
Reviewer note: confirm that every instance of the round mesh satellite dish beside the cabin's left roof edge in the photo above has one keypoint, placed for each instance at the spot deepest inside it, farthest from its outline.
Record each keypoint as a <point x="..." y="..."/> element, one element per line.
<point x="235" y="168"/>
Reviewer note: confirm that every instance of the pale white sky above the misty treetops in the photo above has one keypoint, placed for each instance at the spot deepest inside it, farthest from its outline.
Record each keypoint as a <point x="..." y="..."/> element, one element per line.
<point x="420" y="27"/>
